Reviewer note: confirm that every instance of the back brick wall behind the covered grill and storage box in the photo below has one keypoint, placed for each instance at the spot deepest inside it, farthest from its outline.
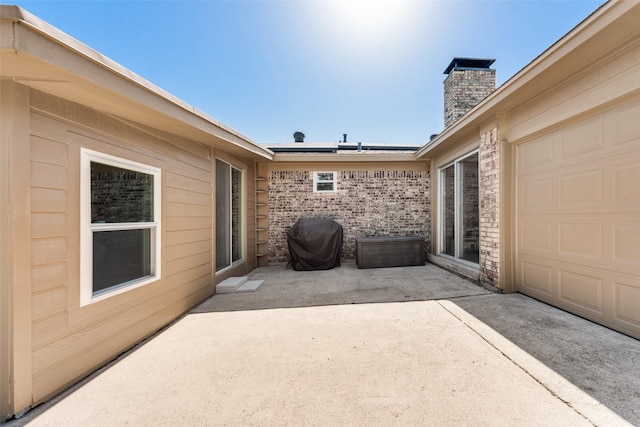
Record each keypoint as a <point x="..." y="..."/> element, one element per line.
<point x="367" y="203"/>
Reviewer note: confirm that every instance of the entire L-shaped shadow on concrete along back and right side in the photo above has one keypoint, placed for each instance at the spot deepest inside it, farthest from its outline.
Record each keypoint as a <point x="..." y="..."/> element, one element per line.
<point x="601" y="362"/>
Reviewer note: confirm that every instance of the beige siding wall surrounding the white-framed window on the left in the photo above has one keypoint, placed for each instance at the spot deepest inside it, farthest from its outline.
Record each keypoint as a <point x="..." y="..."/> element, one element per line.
<point x="68" y="341"/>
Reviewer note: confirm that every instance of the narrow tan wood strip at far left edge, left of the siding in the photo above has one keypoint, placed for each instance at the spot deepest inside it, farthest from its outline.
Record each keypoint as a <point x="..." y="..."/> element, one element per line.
<point x="15" y="250"/>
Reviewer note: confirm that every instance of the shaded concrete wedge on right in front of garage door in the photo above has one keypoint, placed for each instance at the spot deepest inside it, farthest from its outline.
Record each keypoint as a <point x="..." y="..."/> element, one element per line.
<point x="601" y="362"/>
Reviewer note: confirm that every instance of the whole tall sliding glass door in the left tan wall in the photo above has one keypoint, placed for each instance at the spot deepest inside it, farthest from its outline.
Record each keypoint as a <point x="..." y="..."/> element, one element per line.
<point x="228" y="215"/>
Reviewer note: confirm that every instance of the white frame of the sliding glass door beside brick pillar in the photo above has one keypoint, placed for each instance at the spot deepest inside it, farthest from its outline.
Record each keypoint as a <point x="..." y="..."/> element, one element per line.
<point x="457" y="203"/>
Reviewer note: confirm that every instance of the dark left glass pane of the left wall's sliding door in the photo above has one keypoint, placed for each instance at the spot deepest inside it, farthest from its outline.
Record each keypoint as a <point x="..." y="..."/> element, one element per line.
<point x="223" y="211"/>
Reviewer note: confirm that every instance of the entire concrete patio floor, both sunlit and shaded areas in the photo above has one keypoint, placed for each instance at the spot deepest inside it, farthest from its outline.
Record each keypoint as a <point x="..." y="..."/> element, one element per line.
<point x="399" y="346"/>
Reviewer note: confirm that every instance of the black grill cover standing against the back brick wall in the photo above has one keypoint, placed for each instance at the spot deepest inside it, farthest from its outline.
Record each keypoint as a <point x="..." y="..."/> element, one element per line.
<point x="315" y="244"/>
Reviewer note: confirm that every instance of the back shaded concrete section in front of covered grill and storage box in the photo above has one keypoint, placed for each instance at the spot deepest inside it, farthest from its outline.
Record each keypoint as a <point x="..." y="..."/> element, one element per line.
<point x="286" y="288"/>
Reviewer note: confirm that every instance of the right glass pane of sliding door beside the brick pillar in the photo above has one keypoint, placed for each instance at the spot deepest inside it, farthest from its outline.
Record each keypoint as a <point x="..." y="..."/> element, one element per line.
<point x="470" y="209"/>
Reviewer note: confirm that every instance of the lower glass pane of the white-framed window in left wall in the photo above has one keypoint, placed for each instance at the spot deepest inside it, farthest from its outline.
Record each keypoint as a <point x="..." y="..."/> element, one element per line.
<point x="120" y="256"/>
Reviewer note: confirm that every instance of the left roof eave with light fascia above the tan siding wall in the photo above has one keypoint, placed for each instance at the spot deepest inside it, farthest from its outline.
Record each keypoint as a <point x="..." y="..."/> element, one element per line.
<point x="67" y="55"/>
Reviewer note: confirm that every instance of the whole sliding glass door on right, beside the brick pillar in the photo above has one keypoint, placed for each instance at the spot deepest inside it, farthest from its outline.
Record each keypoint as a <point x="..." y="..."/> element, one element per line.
<point x="459" y="209"/>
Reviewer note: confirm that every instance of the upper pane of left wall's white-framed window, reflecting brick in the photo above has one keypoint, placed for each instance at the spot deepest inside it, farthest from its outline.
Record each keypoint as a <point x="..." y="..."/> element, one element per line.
<point x="120" y="195"/>
